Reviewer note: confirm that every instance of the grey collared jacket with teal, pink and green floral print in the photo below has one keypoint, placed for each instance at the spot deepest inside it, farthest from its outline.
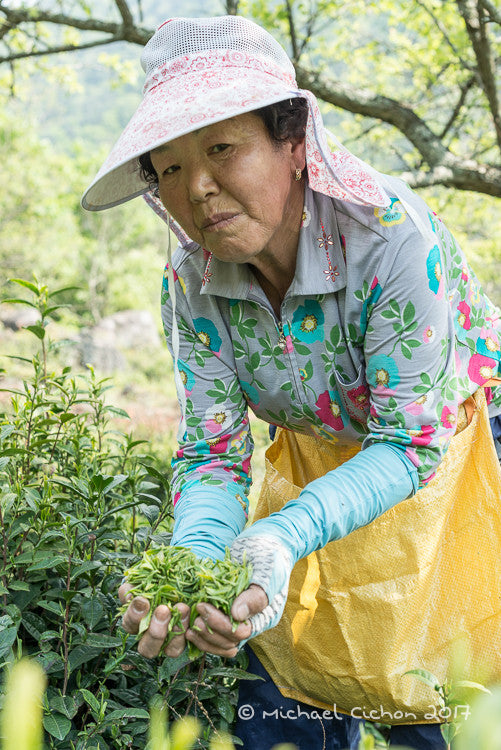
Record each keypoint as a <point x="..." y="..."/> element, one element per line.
<point x="382" y="335"/>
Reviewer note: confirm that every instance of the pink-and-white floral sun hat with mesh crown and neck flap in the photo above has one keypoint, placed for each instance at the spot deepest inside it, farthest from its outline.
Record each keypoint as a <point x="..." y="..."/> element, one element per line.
<point x="203" y="70"/>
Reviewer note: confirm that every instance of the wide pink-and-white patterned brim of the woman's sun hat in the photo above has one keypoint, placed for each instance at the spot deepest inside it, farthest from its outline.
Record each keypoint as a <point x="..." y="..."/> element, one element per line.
<point x="164" y="115"/>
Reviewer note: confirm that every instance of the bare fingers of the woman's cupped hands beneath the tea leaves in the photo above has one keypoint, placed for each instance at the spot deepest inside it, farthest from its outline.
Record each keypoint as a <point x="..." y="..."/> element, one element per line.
<point x="222" y="641"/>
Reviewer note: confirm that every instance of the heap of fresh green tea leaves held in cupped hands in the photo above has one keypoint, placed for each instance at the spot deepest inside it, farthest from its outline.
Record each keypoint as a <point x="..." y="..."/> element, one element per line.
<point x="175" y="574"/>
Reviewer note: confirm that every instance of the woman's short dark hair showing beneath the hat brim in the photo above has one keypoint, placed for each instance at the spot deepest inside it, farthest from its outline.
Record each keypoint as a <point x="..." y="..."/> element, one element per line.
<point x="283" y="120"/>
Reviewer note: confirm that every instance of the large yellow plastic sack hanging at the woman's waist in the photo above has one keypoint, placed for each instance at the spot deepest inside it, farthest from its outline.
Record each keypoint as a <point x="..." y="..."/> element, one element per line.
<point x="396" y="594"/>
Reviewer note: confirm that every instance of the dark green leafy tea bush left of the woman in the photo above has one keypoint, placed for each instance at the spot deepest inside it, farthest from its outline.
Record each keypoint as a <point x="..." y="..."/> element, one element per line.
<point x="79" y="503"/>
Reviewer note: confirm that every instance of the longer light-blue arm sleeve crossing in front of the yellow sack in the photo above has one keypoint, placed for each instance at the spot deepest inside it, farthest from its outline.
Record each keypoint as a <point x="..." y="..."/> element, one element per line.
<point x="343" y="500"/>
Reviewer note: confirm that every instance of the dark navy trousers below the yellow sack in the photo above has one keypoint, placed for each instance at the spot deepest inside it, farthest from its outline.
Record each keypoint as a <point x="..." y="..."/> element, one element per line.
<point x="266" y="718"/>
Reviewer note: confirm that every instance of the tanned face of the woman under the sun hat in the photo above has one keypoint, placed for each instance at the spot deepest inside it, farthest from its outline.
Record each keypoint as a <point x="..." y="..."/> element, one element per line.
<point x="232" y="189"/>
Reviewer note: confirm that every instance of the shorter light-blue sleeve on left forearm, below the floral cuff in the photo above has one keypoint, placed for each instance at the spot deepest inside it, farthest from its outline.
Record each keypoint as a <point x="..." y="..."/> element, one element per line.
<point x="207" y="520"/>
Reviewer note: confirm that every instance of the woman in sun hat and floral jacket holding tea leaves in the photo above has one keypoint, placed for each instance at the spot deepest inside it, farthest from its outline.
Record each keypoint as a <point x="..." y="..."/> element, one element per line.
<point x="331" y="301"/>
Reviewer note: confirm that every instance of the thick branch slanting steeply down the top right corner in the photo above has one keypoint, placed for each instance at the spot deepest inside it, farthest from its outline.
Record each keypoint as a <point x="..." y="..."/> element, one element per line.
<point x="475" y="26"/>
